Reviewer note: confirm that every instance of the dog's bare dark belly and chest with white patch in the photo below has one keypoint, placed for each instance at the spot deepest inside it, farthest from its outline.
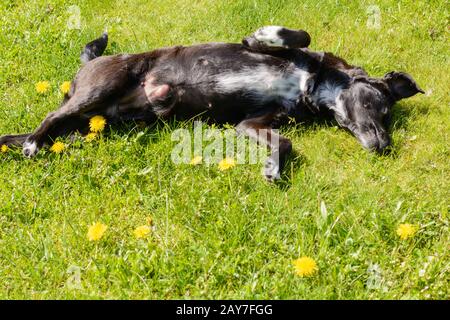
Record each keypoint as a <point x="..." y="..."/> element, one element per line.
<point x="226" y="82"/>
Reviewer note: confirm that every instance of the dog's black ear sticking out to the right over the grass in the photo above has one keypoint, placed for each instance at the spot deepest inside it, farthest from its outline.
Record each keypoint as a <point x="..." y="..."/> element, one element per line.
<point x="401" y="84"/>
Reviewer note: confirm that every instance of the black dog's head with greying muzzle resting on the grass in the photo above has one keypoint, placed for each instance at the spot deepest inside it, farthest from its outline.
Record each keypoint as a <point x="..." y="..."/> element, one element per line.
<point x="365" y="106"/>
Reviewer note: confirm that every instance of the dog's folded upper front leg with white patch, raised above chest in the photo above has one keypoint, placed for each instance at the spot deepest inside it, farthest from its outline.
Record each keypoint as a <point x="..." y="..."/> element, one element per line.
<point x="274" y="38"/>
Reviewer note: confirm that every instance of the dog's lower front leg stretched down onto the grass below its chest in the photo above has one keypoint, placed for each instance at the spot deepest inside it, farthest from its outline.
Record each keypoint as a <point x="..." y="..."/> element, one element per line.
<point x="260" y="129"/>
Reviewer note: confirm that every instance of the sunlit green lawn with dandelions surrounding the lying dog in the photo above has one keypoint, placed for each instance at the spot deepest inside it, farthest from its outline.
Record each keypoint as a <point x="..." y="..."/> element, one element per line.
<point x="225" y="234"/>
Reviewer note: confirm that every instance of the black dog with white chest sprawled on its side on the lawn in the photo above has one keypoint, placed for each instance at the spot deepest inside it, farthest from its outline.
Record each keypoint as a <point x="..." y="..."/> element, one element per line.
<point x="271" y="75"/>
